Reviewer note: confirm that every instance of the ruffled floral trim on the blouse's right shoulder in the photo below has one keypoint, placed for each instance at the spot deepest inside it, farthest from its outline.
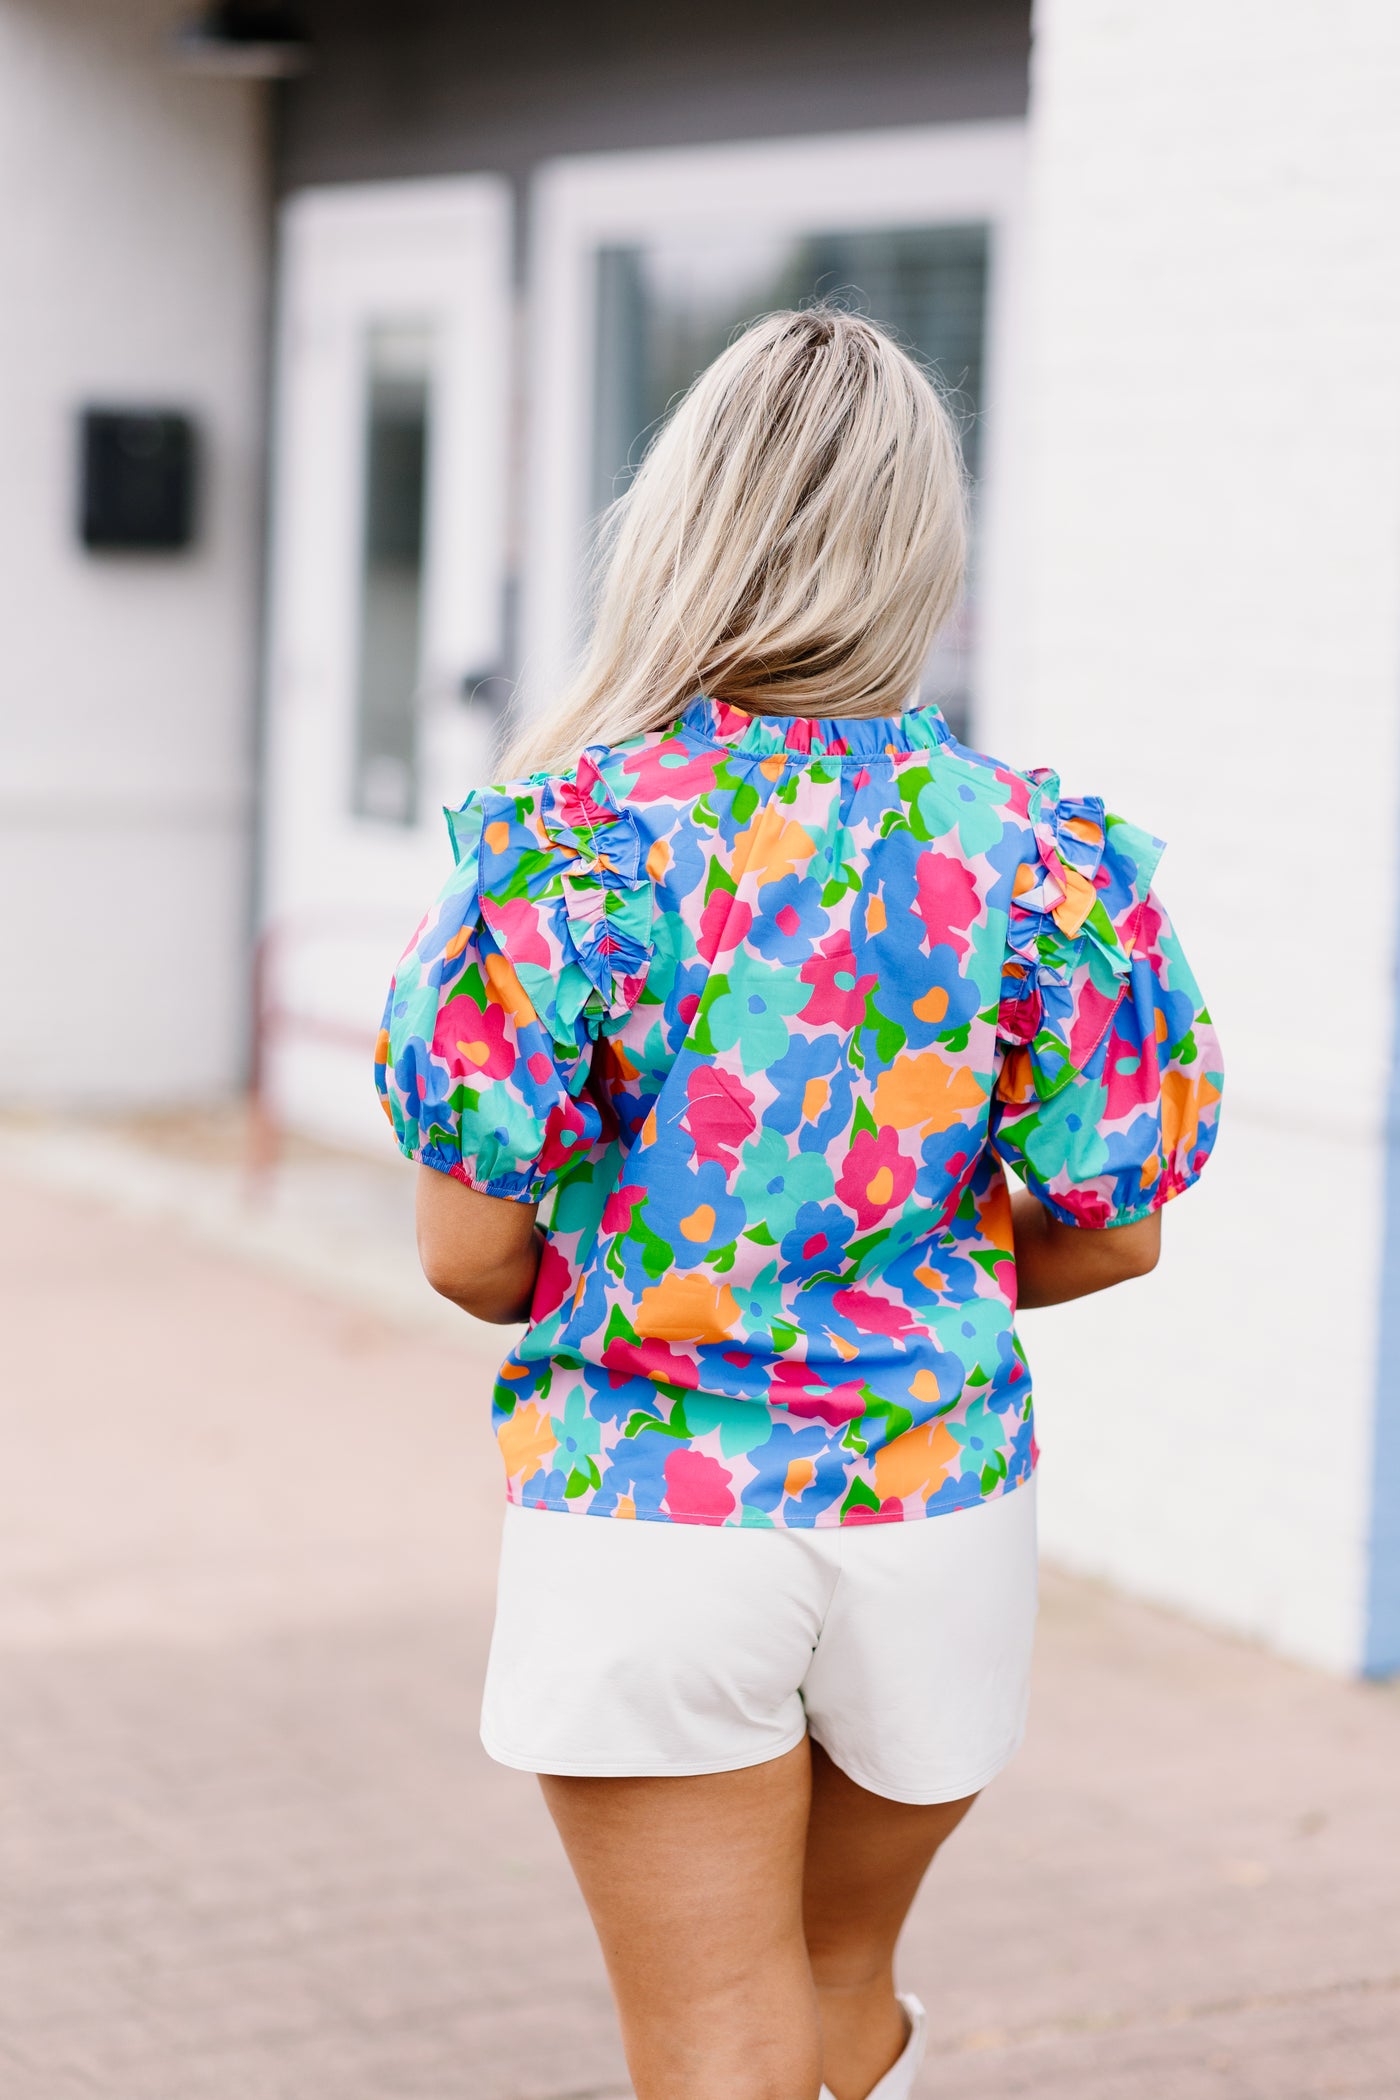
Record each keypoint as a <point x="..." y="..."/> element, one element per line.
<point x="1074" y="929"/>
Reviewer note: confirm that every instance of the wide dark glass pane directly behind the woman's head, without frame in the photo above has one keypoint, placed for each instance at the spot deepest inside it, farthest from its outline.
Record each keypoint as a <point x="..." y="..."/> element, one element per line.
<point x="671" y="306"/>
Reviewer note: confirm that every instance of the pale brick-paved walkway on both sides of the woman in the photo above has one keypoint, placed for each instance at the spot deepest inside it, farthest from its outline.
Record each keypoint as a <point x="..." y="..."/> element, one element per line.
<point x="253" y="1851"/>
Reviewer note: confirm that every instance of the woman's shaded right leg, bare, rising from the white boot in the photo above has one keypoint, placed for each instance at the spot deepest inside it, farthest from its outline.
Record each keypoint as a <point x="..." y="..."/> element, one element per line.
<point x="866" y="1860"/>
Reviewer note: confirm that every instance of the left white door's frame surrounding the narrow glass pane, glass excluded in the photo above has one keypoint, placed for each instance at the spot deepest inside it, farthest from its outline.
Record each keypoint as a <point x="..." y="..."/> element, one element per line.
<point x="343" y="891"/>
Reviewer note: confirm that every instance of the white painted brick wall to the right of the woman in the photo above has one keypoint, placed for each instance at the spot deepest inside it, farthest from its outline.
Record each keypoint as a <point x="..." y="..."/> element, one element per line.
<point x="1214" y="644"/>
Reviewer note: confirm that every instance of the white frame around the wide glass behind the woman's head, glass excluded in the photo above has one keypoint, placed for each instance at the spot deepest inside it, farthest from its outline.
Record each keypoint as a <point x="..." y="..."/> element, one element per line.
<point x="908" y="177"/>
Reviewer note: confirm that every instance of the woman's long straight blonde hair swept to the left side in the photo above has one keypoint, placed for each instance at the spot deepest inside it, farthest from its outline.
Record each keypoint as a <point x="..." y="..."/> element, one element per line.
<point x="792" y="543"/>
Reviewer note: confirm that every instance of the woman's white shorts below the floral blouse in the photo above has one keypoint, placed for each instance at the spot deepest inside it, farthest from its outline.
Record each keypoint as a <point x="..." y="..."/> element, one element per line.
<point x="629" y="1650"/>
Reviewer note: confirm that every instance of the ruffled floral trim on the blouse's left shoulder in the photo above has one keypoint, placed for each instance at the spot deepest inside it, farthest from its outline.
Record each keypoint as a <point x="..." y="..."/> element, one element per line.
<point x="564" y="891"/>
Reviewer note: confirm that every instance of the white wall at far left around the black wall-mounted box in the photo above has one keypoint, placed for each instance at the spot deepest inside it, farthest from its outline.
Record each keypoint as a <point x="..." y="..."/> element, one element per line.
<point x="131" y="268"/>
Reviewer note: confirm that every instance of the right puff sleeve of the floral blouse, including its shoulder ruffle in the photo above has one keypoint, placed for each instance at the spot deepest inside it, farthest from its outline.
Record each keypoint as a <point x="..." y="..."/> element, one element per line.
<point x="1109" y="1083"/>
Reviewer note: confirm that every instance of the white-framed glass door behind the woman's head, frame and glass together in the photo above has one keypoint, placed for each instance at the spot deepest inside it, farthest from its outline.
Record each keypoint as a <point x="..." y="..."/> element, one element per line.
<point x="652" y="264"/>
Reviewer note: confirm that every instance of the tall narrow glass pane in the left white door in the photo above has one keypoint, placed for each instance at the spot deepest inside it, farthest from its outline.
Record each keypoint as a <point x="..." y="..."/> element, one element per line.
<point x="398" y="423"/>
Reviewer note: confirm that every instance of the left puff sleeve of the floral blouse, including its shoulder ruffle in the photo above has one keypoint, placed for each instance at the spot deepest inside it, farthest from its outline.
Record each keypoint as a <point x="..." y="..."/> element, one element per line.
<point x="534" y="948"/>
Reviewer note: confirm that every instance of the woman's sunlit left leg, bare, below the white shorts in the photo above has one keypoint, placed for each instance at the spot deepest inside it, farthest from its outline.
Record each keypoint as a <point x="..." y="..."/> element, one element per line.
<point x="696" y="1893"/>
